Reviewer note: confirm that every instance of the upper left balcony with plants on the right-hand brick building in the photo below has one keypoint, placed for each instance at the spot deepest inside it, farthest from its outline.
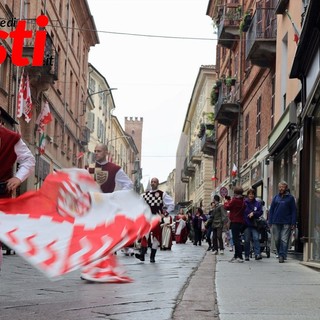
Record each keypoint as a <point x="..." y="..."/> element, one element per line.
<point x="228" y="25"/>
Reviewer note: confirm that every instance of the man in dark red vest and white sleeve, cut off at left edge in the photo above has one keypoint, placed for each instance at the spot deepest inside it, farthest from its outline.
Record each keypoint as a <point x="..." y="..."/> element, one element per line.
<point x="12" y="150"/>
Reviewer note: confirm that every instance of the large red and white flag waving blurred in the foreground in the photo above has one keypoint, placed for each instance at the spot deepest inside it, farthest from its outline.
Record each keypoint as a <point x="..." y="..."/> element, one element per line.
<point x="69" y="223"/>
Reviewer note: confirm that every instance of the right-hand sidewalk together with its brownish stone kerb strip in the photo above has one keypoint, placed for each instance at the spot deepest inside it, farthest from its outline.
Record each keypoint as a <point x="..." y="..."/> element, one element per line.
<point x="255" y="290"/>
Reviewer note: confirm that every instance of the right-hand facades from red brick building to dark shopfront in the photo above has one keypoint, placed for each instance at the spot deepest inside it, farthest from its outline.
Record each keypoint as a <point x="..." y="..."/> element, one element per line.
<point x="267" y="120"/>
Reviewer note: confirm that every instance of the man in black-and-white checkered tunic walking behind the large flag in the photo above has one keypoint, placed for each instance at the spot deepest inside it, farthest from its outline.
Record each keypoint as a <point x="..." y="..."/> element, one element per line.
<point x="156" y="199"/>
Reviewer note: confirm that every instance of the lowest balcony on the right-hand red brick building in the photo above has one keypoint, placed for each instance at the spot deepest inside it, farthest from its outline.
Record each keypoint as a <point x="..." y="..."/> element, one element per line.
<point x="227" y="108"/>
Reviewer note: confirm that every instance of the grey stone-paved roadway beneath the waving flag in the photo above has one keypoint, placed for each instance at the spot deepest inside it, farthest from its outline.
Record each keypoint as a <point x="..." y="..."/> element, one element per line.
<point x="25" y="294"/>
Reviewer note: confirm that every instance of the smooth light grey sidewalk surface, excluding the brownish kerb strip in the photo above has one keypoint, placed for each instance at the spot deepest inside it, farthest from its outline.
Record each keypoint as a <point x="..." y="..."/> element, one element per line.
<point x="266" y="289"/>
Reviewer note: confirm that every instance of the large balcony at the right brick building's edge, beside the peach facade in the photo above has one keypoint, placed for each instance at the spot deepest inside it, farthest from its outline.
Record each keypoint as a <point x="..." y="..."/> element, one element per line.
<point x="261" y="38"/>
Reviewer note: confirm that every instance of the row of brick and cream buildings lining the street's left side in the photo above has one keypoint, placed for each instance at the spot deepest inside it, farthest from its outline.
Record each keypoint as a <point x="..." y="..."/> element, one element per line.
<point x="79" y="97"/>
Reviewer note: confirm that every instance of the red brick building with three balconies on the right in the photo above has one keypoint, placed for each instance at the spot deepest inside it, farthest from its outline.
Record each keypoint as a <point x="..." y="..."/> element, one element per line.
<point x="243" y="93"/>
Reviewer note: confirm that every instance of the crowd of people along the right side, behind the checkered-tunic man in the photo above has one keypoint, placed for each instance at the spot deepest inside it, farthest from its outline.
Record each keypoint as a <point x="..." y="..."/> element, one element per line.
<point x="239" y="223"/>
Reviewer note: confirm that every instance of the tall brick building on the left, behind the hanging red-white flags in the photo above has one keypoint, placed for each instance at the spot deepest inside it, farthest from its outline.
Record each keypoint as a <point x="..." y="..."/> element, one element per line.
<point x="61" y="81"/>
